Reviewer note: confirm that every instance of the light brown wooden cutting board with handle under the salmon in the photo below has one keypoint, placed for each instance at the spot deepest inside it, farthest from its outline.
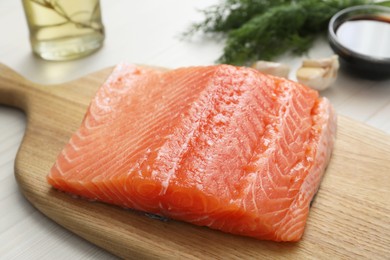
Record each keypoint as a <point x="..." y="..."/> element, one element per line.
<point x="350" y="217"/>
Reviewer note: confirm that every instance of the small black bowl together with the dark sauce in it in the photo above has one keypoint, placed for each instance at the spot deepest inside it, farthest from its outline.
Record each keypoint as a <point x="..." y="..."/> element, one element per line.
<point x="360" y="35"/>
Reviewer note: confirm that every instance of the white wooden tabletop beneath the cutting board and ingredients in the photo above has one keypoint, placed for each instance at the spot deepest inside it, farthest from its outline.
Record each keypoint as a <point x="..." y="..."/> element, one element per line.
<point x="143" y="32"/>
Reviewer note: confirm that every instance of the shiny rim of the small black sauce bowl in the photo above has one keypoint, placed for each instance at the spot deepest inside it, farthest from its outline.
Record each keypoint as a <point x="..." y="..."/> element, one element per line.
<point x="337" y="20"/>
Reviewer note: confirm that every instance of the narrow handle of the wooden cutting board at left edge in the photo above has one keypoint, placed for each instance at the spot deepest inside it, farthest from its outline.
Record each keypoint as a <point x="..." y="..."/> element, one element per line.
<point x="14" y="89"/>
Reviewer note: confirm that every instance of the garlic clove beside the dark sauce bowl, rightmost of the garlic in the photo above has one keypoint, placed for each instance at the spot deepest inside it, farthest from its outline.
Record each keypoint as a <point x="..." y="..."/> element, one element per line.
<point x="318" y="74"/>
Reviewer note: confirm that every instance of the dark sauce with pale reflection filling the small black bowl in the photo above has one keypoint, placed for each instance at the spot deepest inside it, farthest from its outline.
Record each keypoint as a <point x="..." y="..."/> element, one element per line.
<point x="367" y="35"/>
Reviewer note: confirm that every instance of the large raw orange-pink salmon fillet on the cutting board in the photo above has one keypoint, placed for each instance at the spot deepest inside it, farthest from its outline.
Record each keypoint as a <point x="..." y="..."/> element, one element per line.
<point x="219" y="146"/>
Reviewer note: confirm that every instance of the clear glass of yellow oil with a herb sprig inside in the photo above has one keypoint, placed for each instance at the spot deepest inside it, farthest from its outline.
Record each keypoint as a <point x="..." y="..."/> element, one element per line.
<point x="64" y="29"/>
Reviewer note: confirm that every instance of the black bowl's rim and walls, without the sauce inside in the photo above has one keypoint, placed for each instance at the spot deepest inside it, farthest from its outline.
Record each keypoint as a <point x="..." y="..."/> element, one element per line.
<point x="363" y="65"/>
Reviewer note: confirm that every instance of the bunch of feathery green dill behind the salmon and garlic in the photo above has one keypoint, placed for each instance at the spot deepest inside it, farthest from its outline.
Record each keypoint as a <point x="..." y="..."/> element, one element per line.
<point x="263" y="30"/>
